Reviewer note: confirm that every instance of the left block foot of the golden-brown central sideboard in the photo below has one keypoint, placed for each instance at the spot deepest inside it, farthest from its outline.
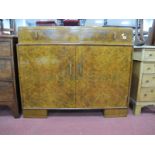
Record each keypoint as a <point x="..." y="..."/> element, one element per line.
<point x="34" y="113"/>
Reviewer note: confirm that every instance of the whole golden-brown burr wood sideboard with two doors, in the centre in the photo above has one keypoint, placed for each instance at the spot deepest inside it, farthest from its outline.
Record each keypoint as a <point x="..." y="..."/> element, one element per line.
<point x="75" y="68"/>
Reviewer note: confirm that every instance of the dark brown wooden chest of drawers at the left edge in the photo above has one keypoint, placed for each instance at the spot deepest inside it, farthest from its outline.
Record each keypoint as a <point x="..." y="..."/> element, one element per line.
<point x="8" y="73"/>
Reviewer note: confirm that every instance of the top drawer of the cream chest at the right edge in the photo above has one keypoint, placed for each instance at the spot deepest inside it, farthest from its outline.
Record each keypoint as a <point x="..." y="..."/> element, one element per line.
<point x="149" y="54"/>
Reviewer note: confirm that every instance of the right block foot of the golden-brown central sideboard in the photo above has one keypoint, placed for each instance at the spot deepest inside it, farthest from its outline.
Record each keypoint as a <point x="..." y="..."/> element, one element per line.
<point x="115" y="112"/>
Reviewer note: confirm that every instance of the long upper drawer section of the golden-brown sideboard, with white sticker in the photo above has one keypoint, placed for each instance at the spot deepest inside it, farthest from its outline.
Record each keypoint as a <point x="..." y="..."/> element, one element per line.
<point x="75" y="34"/>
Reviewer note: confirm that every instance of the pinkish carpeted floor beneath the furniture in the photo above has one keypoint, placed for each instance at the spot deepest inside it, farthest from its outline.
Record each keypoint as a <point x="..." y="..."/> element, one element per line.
<point x="78" y="123"/>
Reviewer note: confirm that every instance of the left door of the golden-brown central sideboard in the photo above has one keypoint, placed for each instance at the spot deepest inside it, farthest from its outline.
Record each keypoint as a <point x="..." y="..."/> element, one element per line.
<point x="47" y="76"/>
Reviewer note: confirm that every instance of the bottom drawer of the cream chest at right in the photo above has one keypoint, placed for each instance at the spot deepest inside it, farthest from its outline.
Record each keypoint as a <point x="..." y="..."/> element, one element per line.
<point x="147" y="94"/>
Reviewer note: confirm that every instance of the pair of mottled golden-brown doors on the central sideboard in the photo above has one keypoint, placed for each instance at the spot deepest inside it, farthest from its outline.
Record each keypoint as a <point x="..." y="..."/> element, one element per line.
<point x="74" y="76"/>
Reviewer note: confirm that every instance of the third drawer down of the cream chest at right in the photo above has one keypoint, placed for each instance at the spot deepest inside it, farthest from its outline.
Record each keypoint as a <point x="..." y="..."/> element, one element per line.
<point x="148" y="80"/>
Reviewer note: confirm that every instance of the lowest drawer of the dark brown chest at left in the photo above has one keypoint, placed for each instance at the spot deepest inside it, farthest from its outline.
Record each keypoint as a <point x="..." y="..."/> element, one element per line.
<point x="6" y="91"/>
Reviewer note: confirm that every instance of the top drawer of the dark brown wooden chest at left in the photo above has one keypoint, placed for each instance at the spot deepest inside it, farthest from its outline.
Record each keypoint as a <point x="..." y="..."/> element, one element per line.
<point x="5" y="49"/>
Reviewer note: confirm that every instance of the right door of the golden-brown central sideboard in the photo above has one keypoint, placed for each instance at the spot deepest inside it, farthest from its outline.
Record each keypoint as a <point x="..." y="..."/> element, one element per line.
<point x="102" y="76"/>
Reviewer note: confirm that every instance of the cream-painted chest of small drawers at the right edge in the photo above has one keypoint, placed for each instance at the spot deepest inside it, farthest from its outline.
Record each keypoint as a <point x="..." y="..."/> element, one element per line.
<point x="143" y="80"/>
